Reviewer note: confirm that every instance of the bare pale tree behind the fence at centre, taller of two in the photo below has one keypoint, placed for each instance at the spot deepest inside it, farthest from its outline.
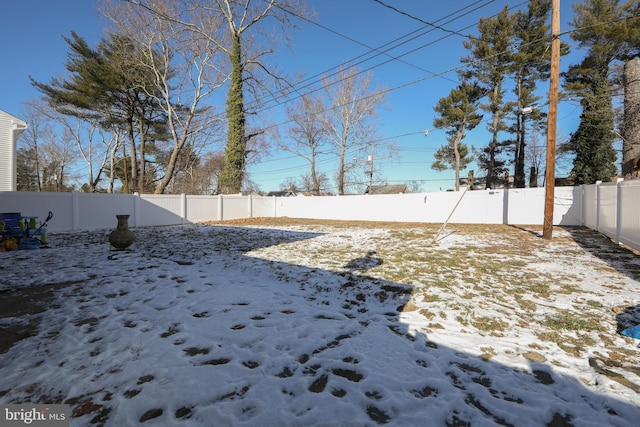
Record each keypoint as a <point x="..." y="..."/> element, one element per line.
<point x="351" y="118"/>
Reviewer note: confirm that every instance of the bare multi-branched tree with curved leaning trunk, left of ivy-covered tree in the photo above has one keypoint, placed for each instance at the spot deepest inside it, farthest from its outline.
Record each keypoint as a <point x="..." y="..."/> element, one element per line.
<point x="183" y="63"/>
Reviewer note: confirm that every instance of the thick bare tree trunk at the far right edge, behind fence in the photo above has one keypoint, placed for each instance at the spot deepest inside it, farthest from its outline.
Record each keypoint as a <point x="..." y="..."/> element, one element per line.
<point x="631" y="130"/>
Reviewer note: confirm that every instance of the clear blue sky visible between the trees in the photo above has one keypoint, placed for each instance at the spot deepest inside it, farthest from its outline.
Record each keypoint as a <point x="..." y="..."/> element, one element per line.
<point x="420" y="74"/>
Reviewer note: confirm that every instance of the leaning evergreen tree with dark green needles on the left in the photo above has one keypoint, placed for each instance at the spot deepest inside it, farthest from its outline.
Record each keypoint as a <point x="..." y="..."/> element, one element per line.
<point x="107" y="85"/>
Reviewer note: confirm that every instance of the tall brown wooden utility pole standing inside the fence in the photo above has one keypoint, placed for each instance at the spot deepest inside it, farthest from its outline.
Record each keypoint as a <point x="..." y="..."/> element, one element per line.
<point x="552" y="118"/>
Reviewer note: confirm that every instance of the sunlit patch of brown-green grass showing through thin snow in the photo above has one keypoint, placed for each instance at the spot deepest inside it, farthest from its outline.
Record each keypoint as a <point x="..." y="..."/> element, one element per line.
<point x="485" y="277"/>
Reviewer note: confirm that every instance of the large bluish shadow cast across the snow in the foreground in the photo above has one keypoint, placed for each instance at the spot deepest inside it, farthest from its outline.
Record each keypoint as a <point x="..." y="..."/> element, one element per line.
<point x="344" y="353"/>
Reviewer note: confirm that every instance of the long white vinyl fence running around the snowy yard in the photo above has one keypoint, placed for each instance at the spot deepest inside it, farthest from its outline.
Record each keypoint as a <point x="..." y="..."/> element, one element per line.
<point x="611" y="209"/>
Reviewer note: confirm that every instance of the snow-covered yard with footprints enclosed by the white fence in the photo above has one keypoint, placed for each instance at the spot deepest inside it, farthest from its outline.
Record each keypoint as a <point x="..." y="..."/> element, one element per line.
<point x="304" y="323"/>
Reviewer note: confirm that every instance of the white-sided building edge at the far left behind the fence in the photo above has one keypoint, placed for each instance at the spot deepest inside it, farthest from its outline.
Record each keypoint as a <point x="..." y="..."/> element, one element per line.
<point x="10" y="130"/>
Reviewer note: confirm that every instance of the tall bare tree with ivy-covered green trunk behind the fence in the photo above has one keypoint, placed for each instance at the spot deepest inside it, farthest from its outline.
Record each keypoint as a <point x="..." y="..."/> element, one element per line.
<point x="244" y="33"/>
